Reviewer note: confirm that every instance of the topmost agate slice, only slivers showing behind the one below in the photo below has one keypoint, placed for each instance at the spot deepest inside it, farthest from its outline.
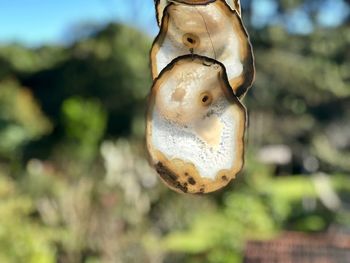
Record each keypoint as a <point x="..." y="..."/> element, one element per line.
<point x="162" y="4"/>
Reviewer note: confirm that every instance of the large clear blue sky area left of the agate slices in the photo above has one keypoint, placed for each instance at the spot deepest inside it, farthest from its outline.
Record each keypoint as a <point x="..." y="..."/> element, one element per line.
<point x="45" y="21"/>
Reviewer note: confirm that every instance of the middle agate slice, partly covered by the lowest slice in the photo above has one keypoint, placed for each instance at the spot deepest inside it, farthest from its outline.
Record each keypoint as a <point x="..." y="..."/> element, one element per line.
<point x="212" y="30"/>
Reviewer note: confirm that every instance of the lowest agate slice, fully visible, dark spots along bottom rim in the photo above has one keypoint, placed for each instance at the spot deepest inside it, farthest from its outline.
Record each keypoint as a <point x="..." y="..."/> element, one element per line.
<point x="195" y="126"/>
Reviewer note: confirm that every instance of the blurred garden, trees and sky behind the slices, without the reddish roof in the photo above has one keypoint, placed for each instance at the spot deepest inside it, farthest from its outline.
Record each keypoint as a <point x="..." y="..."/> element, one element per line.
<point x="75" y="185"/>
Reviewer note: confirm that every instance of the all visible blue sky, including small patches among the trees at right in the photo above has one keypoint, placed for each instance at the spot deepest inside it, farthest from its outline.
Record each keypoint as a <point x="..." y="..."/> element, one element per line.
<point x="35" y="22"/>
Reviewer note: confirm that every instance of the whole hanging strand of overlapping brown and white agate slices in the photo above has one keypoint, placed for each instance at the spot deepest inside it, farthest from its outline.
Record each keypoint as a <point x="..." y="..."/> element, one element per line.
<point x="202" y="66"/>
